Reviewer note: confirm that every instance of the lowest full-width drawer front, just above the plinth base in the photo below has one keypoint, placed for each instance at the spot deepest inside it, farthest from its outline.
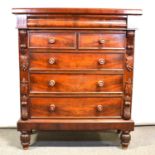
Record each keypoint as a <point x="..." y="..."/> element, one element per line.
<point x="75" y="107"/>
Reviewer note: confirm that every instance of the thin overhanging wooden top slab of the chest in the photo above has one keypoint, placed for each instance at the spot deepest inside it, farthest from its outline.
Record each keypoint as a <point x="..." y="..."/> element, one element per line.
<point x="92" y="11"/>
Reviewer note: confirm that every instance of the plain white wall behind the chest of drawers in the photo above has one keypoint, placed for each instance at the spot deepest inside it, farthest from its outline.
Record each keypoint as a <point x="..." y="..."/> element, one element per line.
<point x="144" y="77"/>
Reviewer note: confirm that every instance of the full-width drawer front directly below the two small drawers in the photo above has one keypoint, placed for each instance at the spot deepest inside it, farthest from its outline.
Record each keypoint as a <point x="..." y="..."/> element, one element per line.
<point x="68" y="61"/>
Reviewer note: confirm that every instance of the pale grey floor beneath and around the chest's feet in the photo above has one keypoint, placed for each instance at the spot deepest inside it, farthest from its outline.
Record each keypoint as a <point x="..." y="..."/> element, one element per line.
<point x="79" y="143"/>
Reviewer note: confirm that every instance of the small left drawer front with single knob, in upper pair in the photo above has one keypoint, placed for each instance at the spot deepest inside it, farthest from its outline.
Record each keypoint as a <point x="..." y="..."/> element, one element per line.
<point x="54" y="40"/>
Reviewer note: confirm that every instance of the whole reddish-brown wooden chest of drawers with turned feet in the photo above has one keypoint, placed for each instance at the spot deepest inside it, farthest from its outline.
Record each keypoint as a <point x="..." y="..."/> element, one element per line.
<point x="76" y="70"/>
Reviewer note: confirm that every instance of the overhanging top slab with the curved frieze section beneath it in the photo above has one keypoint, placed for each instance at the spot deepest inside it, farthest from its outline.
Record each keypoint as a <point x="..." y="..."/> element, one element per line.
<point x="73" y="17"/>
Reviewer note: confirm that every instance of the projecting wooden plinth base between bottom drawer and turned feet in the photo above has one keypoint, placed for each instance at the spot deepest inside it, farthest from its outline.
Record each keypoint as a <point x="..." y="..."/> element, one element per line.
<point x="95" y="124"/>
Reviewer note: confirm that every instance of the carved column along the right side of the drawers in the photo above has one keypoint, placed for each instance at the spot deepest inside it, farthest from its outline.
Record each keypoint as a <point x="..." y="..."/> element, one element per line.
<point x="129" y="60"/>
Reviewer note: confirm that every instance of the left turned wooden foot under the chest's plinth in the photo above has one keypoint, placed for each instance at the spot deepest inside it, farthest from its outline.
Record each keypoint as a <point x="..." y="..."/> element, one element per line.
<point x="25" y="139"/>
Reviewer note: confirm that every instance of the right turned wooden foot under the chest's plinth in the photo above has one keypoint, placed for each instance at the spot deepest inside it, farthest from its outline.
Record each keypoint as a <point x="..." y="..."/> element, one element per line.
<point x="125" y="139"/>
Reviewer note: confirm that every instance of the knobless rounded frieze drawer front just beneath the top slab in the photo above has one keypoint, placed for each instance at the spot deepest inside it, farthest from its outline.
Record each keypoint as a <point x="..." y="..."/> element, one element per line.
<point x="77" y="21"/>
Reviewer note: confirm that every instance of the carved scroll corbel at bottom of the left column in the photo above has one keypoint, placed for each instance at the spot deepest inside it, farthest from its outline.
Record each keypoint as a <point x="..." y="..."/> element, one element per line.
<point x="24" y="108"/>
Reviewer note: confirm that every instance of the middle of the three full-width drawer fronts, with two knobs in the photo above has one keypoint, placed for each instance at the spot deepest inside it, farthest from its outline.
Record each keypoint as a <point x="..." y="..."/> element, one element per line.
<point x="75" y="83"/>
